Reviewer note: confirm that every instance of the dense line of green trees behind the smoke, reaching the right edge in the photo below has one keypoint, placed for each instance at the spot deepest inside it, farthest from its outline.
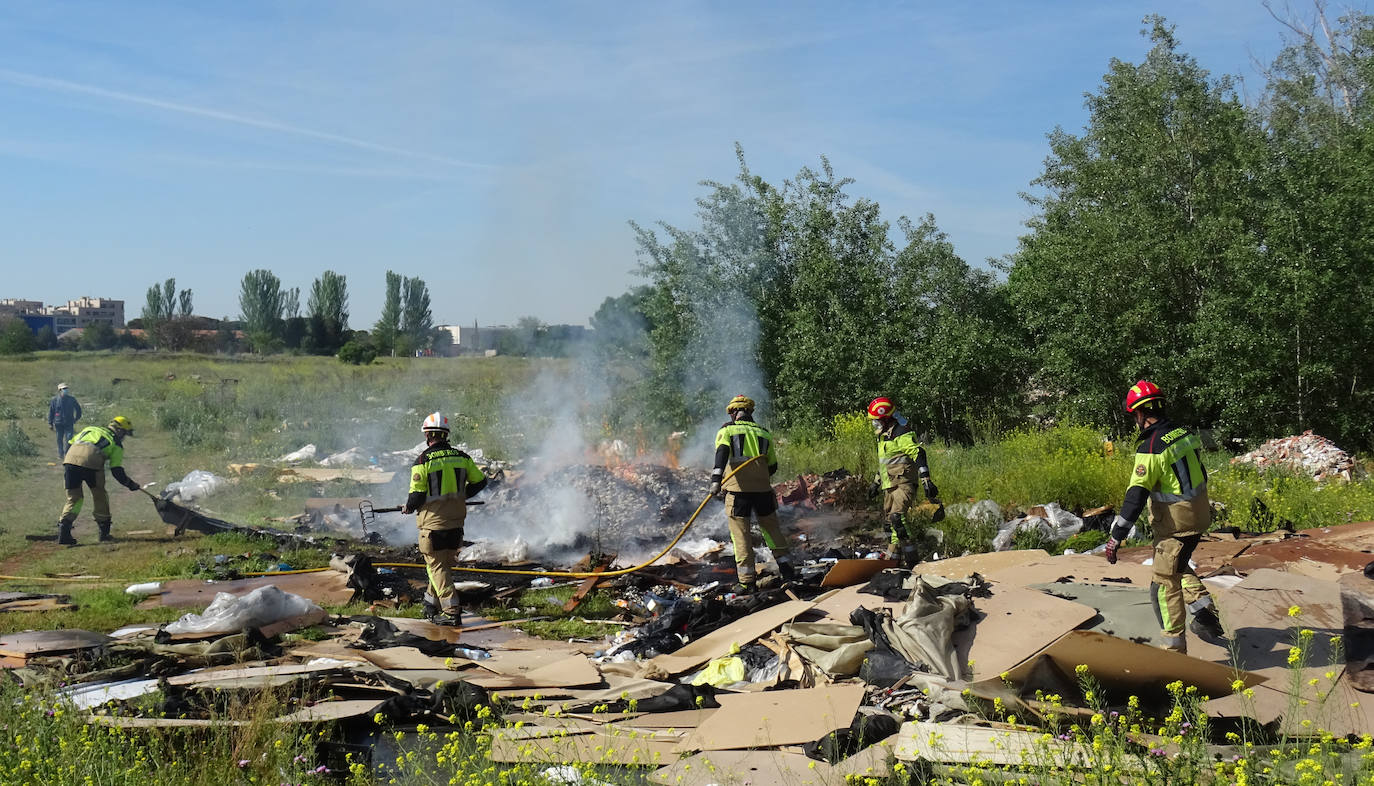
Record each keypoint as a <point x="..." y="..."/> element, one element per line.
<point x="1219" y="248"/>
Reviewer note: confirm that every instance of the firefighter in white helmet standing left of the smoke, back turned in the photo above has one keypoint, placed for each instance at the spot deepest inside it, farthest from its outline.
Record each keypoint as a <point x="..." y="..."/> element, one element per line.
<point x="442" y="483"/>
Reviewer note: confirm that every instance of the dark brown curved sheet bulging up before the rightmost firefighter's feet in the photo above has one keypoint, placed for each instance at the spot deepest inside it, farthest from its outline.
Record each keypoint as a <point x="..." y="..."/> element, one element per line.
<point x="1133" y="669"/>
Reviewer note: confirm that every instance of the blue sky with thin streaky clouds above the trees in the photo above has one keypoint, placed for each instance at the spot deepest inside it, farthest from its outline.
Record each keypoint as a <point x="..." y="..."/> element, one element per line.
<point x="498" y="150"/>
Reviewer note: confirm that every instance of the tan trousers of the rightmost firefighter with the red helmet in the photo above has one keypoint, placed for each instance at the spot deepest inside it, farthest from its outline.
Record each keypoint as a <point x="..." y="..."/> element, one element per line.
<point x="1177" y="530"/>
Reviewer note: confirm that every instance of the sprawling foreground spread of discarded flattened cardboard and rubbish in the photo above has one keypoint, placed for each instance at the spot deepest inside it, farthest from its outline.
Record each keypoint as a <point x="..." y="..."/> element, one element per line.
<point x="840" y="675"/>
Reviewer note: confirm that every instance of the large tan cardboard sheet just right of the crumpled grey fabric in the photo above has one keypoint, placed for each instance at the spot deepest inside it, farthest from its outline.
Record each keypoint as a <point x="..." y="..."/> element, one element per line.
<point x="1013" y="626"/>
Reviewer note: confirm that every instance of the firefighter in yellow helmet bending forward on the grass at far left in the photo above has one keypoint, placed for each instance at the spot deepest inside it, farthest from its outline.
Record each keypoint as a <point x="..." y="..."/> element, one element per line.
<point x="85" y="462"/>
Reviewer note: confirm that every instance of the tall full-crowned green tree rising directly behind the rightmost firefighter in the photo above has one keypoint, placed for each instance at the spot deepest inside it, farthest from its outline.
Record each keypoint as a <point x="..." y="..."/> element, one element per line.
<point x="1141" y="222"/>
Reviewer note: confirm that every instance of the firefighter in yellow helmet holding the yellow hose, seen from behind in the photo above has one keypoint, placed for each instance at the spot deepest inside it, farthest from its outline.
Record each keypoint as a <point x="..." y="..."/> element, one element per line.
<point x="750" y="491"/>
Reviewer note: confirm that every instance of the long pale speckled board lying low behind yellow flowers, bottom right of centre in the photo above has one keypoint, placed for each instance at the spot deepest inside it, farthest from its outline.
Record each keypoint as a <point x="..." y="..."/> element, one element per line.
<point x="960" y="744"/>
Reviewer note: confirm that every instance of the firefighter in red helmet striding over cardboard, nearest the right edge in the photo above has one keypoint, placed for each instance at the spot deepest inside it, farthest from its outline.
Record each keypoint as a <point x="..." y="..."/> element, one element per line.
<point x="1169" y="473"/>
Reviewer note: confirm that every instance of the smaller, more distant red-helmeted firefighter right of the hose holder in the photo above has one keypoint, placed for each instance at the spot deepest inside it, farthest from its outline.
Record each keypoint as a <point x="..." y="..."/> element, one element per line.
<point x="902" y="462"/>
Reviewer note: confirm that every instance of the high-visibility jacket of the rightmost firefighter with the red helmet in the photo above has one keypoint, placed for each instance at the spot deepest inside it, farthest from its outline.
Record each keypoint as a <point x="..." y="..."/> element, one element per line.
<point x="1167" y="471"/>
